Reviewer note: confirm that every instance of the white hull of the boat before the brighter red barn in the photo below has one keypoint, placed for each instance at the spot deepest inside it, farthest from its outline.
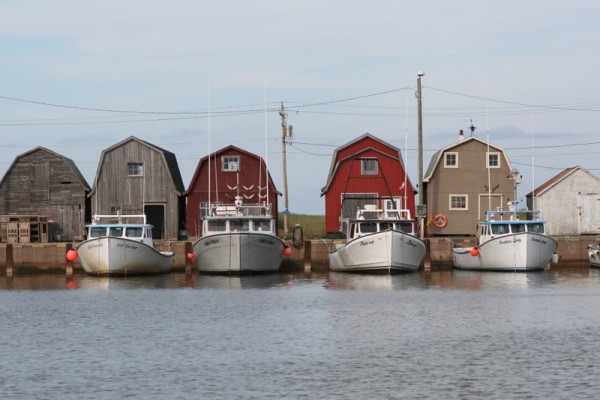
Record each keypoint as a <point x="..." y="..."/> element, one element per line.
<point x="385" y="251"/>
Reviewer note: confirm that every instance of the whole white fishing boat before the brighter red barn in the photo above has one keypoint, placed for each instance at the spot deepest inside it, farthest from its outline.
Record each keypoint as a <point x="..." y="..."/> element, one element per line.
<point x="378" y="240"/>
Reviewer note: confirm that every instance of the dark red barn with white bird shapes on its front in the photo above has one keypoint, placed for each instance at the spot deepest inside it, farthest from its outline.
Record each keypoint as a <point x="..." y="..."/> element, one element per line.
<point x="233" y="172"/>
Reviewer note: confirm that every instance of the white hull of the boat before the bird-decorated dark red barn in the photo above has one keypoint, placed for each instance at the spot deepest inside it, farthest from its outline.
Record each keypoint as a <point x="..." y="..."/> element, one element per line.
<point x="238" y="252"/>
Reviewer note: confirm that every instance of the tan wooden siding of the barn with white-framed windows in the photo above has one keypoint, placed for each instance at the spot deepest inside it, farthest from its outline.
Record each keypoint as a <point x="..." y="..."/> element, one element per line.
<point x="470" y="178"/>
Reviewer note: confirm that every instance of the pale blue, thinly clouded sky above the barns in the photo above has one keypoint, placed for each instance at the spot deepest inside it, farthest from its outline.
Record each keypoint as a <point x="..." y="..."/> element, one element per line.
<point x="195" y="76"/>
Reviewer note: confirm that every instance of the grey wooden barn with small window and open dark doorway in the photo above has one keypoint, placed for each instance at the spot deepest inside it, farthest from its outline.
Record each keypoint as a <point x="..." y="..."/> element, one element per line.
<point x="135" y="177"/>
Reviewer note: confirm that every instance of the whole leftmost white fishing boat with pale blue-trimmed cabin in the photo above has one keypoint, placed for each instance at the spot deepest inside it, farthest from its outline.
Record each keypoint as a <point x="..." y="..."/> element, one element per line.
<point x="121" y="245"/>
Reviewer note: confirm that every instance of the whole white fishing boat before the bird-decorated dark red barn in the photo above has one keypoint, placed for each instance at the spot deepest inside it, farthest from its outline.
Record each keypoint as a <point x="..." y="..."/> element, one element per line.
<point x="239" y="238"/>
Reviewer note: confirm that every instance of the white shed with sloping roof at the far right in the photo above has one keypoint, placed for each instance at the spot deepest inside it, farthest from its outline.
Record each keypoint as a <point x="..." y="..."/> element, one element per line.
<point x="570" y="202"/>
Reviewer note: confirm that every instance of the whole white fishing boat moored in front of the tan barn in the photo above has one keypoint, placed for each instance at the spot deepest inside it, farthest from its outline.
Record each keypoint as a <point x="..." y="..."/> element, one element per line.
<point x="508" y="240"/>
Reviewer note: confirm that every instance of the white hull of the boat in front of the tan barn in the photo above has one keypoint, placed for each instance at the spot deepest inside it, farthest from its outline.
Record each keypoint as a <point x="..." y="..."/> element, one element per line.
<point x="519" y="252"/>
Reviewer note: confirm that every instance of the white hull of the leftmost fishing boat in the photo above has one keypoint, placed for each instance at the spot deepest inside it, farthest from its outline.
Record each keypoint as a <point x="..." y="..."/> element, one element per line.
<point x="120" y="256"/>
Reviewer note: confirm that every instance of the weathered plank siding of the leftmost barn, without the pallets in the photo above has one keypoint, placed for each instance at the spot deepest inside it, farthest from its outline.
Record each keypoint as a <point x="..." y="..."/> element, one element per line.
<point x="43" y="183"/>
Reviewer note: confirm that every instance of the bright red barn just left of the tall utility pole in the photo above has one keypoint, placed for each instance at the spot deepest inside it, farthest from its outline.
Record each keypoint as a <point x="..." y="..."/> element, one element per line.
<point x="366" y="170"/>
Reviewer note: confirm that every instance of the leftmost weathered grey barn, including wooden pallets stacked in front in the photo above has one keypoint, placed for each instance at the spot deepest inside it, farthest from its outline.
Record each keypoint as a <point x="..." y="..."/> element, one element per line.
<point x="43" y="198"/>
